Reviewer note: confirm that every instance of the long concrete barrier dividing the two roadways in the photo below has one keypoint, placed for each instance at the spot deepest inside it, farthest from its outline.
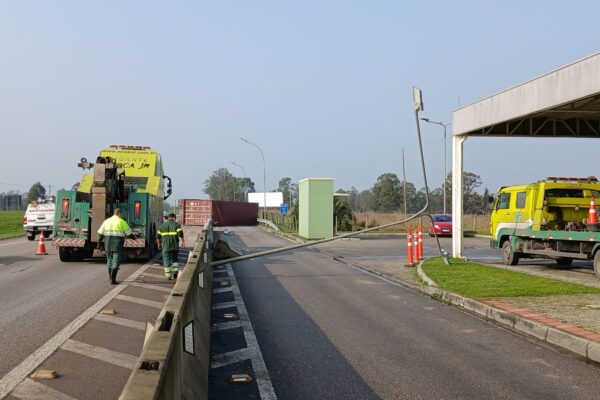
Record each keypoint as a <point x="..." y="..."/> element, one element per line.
<point x="174" y="362"/>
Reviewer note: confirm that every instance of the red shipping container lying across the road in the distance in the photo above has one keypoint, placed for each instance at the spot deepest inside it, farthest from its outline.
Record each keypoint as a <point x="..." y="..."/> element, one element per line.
<point x="197" y="212"/>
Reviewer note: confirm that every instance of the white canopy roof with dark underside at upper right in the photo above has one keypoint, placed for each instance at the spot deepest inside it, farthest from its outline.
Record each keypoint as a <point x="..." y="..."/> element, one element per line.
<point x="561" y="103"/>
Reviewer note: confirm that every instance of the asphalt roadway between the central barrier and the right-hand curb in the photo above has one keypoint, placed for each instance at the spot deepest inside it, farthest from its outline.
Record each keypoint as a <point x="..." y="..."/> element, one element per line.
<point x="327" y="330"/>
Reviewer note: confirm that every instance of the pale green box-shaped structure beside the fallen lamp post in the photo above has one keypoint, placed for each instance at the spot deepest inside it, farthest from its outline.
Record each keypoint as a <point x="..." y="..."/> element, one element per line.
<point x="315" y="208"/>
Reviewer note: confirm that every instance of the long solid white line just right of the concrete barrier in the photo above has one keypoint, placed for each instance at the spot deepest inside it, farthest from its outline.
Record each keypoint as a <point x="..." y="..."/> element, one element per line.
<point x="263" y="380"/>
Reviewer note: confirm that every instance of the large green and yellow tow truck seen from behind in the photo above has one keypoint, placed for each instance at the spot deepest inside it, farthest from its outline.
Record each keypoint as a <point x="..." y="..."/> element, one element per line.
<point x="127" y="177"/>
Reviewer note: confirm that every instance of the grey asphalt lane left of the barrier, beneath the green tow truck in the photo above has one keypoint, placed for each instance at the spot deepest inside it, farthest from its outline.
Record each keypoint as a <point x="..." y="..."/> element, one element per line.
<point x="39" y="296"/>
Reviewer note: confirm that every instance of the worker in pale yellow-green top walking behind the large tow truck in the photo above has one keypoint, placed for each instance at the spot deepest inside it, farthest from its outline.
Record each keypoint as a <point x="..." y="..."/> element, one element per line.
<point x="113" y="232"/>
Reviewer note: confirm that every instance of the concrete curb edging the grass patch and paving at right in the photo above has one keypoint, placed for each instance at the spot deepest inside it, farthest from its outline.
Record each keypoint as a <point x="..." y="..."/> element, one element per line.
<point x="581" y="346"/>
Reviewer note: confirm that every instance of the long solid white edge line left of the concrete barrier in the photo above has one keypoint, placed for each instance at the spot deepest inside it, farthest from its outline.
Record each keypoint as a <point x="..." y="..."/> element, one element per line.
<point x="21" y="371"/>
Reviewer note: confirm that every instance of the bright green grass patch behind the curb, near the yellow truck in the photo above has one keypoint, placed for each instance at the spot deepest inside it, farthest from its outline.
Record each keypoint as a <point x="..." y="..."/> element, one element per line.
<point x="476" y="280"/>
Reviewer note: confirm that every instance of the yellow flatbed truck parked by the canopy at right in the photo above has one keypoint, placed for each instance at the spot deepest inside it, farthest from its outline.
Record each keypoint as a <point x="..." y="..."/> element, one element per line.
<point x="547" y="219"/>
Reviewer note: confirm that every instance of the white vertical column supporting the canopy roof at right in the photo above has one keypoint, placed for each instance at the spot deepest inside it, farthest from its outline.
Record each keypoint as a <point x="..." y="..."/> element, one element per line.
<point x="457" y="195"/>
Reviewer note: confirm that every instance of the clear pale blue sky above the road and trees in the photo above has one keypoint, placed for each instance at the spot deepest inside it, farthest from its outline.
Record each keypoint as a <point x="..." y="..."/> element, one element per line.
<point x="323" y="87"/>
